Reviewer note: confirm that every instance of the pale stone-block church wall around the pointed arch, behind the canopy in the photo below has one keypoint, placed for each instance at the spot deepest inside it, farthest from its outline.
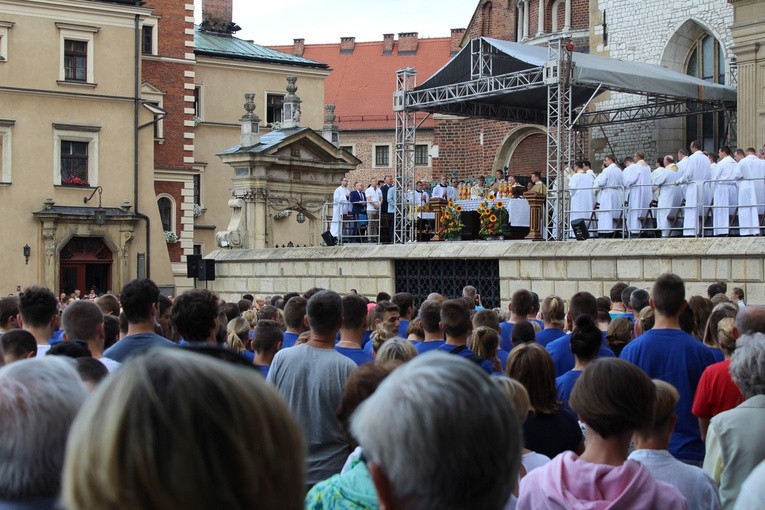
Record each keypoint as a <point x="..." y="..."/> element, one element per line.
<point x="655" y="32"/>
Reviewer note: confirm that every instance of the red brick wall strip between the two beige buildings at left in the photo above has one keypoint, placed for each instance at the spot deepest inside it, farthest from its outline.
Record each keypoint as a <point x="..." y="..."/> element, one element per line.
<point x="170" y="78"/>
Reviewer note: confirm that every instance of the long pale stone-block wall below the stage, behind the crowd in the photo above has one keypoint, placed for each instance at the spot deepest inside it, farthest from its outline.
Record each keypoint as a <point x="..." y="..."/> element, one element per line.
<point x="560" y="268"/>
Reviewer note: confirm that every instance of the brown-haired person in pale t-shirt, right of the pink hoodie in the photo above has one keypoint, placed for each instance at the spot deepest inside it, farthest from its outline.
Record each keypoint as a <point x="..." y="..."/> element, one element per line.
<point x="651" y="450"/>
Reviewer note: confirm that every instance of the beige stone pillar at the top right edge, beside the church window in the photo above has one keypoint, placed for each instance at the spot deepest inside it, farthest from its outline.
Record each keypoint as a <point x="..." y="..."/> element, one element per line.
<point x="747" y="29"/>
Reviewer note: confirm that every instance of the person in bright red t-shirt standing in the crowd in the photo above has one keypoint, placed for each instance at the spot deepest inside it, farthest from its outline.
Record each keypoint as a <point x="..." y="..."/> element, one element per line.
<point x="716" y="391"/>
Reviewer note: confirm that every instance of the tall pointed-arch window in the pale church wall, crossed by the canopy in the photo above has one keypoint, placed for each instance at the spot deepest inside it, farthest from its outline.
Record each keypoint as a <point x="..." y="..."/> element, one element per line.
<point x="707" y="62"/>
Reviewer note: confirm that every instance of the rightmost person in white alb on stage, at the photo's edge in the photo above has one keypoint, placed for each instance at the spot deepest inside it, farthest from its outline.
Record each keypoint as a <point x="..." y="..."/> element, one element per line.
<point x="751" y="191"/>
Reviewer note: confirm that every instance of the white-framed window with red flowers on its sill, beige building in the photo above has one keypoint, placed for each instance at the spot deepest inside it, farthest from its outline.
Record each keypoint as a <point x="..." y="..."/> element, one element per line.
<point x="75" y="155"/>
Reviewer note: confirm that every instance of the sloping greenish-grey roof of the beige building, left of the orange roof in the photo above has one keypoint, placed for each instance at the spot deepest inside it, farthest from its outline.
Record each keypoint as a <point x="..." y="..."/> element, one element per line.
<point x="222" y="45"/>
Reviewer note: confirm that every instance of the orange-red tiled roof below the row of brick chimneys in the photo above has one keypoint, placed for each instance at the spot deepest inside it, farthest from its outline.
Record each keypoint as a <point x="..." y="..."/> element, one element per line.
<point x="362" y="83"/>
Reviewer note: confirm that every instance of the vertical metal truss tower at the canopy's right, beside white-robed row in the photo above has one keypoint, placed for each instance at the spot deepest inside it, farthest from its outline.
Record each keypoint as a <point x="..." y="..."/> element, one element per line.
<point x="558" y="72"/>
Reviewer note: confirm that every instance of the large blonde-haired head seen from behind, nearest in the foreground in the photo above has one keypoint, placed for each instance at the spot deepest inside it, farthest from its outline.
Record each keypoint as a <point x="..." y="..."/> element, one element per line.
<point x="173" y="429"/>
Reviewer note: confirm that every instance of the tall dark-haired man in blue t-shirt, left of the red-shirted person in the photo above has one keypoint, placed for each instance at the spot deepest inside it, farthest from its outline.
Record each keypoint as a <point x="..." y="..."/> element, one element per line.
<point x="668" y="353"/>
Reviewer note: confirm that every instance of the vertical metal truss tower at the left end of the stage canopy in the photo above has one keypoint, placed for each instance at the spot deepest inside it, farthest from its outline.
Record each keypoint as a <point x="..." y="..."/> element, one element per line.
<point x="404" y="215"/>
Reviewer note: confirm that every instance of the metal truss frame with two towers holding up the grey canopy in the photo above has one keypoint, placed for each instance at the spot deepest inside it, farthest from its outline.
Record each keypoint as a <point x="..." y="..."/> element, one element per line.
<point x="546" y="93"/>
